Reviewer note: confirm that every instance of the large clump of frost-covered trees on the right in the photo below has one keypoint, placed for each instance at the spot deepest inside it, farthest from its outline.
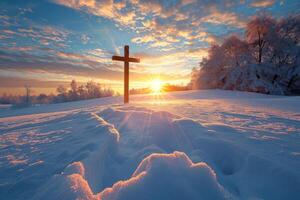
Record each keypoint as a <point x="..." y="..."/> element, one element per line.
<point x="266" y="61"/>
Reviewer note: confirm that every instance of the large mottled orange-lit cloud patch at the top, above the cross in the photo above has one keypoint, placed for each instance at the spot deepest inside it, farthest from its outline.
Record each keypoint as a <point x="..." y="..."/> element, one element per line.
<point x="162" y="24"/>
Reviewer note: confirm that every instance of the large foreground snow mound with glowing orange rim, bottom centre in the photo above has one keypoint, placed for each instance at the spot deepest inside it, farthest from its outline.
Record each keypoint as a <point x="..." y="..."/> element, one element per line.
<point x="168" y="176"/>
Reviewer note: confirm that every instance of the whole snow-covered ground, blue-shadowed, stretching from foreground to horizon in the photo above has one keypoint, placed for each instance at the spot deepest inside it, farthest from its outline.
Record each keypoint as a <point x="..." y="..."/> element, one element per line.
<point x="209" y="144"/>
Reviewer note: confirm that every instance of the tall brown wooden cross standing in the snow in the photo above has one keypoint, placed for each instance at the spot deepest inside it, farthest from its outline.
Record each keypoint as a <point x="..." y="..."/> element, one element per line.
<point x="126" y="59"/>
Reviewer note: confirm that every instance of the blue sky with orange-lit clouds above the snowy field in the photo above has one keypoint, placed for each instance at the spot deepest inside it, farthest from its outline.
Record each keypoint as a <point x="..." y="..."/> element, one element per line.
<point x="46" y="43"/>
